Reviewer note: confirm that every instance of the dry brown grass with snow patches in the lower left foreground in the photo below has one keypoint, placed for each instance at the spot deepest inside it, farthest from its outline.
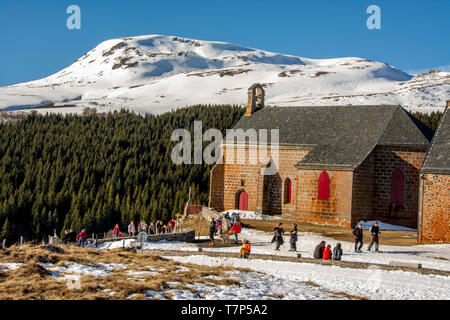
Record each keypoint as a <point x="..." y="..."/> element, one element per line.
<point x="33" y="281"/>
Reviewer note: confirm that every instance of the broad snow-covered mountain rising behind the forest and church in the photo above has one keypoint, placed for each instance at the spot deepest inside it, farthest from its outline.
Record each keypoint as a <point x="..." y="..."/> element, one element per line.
<point x="156" y="73"/>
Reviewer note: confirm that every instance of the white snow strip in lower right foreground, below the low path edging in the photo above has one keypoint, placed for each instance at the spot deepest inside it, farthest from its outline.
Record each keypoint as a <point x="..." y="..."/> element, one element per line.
<point x="368" y="283"/>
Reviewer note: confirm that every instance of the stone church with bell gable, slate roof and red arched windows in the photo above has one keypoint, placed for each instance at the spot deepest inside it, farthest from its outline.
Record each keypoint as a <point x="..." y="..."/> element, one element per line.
<point x="336" y="164"/>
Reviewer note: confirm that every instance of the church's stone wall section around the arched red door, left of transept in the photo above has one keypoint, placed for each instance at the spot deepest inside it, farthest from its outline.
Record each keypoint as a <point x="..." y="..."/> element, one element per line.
<point x="265" y="193"/>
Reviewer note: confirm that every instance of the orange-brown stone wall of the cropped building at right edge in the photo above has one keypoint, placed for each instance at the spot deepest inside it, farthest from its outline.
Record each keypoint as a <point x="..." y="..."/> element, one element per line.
<point x="434" y="217"/>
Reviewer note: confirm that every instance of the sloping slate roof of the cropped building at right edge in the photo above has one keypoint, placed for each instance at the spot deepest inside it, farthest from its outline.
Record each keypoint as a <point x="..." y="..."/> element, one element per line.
<point x="437" y="159"/>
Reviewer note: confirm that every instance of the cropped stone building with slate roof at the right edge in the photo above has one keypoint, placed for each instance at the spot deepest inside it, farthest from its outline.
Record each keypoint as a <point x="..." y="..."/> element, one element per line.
<point x="434" y="205"/>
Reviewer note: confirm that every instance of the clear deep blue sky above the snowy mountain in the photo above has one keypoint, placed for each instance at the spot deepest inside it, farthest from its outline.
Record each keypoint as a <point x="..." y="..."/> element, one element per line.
<point x="414" y="35"/>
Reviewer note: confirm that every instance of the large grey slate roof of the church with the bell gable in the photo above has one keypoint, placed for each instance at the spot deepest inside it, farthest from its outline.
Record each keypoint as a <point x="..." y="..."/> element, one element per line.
<point x="340" y="136"/>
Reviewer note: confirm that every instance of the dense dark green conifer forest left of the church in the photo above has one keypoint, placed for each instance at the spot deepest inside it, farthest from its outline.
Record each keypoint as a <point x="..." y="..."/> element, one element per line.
<point x="94" y="170"/>
